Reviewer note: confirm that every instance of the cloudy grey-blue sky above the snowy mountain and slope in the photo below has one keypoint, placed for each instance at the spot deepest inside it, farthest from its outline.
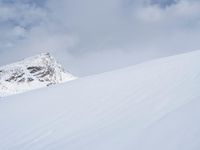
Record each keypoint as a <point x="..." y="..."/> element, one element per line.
<point x="94" y="36"/>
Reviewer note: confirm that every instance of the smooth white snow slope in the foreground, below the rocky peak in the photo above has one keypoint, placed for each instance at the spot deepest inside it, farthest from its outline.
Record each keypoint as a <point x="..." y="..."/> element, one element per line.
<point x="150" y="106"/>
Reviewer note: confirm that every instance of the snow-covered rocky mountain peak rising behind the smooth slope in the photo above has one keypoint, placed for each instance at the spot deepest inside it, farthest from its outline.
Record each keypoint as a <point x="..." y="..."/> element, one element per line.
<point x="31" y="73"/>
